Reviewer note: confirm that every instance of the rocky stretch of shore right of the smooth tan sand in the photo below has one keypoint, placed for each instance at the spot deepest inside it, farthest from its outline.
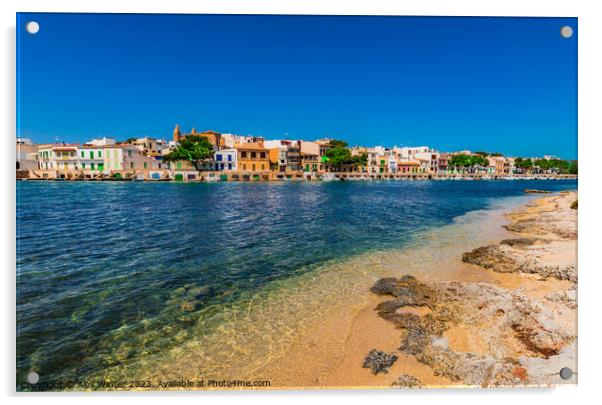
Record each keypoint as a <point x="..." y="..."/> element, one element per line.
<point x="517" y="328"/>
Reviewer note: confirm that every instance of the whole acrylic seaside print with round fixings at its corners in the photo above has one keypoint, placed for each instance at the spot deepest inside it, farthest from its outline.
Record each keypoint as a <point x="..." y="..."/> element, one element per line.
<point x="268" y="202"/>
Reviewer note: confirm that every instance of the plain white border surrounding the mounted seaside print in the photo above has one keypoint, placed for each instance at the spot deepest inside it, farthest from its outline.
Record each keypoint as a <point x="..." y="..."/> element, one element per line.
<point x="590" y="132"/>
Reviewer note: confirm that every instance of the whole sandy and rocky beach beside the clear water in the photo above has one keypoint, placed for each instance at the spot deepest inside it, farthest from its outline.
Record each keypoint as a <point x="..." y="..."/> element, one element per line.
<point x="502" y="314"/>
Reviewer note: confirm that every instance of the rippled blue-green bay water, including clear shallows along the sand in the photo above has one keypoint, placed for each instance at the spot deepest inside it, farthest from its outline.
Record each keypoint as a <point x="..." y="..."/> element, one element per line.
<point x="164" y="280"/>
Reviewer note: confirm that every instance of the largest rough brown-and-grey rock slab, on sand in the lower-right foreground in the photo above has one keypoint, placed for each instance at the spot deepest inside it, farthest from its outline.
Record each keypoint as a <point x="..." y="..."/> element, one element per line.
<point x="489" y="312"/>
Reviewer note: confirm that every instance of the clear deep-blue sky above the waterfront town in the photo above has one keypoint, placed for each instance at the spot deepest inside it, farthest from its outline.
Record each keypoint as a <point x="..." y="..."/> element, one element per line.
<point x="504" y="85"/>
